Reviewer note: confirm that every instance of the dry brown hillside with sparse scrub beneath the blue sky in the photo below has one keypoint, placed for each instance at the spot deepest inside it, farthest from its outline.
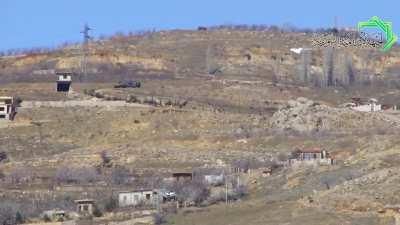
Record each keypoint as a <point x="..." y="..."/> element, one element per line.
<point x="208" y="99"/>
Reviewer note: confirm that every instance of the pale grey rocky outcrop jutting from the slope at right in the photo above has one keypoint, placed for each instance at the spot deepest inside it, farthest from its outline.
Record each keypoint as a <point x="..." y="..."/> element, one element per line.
<point x="304" y="115"/>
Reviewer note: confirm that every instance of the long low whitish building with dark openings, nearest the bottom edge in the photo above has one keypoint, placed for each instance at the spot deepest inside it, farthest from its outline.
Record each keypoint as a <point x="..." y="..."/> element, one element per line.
<point x="137" y="197"/>
